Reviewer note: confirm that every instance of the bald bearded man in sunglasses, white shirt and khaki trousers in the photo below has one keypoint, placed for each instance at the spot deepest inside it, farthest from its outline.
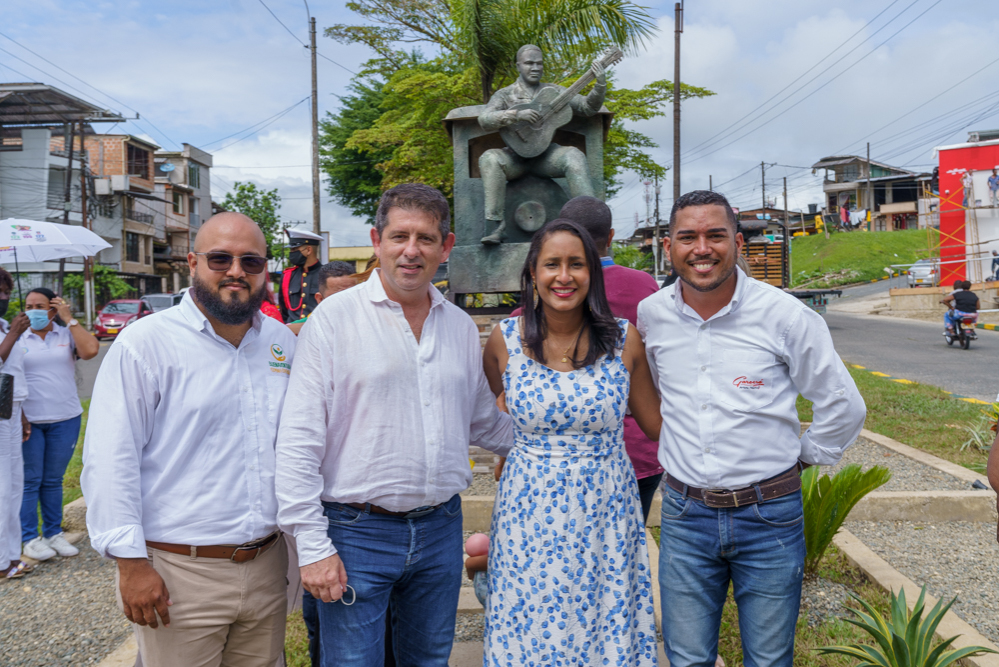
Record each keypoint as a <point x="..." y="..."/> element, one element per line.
<point x="178" y="466"/>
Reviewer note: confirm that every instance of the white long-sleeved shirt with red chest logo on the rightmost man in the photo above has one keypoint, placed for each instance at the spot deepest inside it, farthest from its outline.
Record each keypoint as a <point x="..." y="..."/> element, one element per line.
<point x="729" y="385"/>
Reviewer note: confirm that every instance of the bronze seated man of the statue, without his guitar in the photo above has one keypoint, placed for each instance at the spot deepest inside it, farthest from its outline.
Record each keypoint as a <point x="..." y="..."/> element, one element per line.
<point x="499" y="165"/>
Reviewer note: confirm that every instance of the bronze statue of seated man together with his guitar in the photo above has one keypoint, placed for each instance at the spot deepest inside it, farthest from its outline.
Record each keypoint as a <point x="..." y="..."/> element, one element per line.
<point x="527" y="113"/>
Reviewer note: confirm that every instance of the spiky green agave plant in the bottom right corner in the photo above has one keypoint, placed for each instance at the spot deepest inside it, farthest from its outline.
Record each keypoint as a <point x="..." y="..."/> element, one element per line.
<point x="905" y="641"/>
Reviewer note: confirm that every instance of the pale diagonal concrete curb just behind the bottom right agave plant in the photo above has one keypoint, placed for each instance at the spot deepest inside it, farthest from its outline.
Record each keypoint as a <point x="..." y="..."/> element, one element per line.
<point x="884" y="575"/>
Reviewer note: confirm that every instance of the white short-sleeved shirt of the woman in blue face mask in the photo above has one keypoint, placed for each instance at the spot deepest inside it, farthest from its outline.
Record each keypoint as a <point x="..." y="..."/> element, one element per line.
<point x="50" y="373"/>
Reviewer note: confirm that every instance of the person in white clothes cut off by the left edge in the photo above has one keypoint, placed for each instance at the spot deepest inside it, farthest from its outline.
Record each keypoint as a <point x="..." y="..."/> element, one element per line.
<point x="13" y="432"/>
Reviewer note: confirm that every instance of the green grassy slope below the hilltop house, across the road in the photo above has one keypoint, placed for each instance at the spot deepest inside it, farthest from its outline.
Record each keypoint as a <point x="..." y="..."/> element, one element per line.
<point x="855" y="256"/>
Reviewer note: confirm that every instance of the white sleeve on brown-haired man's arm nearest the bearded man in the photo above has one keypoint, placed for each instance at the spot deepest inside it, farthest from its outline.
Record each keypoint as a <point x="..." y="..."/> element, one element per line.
<point x="301" y="447"/>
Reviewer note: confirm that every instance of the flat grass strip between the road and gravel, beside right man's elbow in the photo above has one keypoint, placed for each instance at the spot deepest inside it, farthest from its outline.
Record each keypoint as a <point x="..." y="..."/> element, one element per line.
<point x="918" y="415"/>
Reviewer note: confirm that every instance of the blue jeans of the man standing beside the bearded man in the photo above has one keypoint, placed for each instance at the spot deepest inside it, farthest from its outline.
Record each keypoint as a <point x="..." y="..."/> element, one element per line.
<point x="414" y="565"/>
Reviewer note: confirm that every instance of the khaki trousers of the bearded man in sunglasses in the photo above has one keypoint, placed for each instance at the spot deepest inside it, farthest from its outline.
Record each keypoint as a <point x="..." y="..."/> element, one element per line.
<point x="224" y="614"/>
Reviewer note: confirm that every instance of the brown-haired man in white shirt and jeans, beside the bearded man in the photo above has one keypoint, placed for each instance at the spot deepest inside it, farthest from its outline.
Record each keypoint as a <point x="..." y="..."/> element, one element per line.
<point x="386" y="396"/>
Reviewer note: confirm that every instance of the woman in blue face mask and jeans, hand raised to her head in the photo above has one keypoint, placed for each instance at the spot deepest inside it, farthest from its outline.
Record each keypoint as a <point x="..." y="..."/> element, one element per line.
<point x="53" y="408"/>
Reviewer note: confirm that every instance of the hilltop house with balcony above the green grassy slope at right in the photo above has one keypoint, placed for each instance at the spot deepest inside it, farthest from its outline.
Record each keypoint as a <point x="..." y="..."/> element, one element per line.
<point x="891" y="193"/>
